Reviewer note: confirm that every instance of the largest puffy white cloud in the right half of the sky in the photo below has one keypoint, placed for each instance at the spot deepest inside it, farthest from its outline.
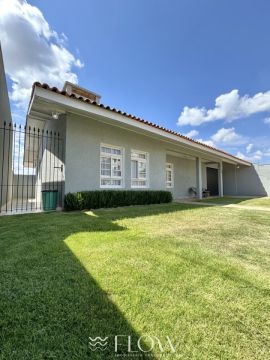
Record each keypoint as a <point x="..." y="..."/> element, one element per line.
<point x="229" y="106"/>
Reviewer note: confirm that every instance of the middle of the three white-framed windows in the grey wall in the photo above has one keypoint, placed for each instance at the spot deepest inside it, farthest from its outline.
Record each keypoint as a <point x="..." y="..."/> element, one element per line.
<point x="139" y="169"/>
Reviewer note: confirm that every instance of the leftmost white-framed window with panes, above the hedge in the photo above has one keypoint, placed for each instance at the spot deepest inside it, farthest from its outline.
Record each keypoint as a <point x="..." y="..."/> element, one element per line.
<point x="111" y="166"/>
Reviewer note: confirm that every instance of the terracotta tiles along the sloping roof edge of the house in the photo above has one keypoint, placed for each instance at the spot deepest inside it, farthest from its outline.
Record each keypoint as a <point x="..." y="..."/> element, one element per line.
<point x="64" y="93"/>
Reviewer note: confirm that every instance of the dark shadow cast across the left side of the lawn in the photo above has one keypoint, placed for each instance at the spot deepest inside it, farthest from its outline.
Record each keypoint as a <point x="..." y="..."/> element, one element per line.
<point x="50" y="305"/>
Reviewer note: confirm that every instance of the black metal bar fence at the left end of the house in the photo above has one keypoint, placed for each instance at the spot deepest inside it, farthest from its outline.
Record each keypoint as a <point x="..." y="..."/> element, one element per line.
<point x="31" y="169"/>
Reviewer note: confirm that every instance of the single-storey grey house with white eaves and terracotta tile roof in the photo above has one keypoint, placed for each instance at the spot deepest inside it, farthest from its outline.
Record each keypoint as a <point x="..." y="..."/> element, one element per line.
<point x="105" y="148"/>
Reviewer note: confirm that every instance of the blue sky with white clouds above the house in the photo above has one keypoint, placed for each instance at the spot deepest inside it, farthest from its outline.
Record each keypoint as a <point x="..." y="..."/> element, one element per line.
<point x="154" y="58"/>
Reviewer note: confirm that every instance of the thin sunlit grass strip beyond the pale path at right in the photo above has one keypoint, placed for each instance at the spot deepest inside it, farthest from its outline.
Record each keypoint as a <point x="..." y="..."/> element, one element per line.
<point x="259" y="202"/>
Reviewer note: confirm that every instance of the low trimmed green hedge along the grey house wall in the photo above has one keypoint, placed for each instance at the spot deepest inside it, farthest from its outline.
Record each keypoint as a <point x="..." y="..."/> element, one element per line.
<point x="113" y="198"/>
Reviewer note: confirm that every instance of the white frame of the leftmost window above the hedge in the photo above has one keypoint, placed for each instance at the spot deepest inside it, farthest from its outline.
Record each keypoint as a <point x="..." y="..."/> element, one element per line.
<point x="112" y="156"/>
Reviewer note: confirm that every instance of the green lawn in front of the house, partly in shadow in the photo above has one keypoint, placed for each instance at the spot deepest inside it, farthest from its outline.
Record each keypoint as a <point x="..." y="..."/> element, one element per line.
<point x="199" y="275"/>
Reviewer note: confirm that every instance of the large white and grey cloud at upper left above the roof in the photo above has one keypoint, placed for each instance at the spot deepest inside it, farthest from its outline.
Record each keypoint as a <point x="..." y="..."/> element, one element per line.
<point x="32" y="50"/>
